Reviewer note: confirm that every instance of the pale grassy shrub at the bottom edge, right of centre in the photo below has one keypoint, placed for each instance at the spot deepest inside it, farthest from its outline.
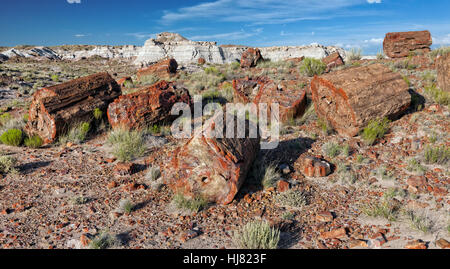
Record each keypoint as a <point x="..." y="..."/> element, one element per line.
<point x="257" y="235"/>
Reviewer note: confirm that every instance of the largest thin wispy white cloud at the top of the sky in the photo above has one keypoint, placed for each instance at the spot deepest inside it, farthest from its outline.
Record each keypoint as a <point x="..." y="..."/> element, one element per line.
<point x="259" y="12"/>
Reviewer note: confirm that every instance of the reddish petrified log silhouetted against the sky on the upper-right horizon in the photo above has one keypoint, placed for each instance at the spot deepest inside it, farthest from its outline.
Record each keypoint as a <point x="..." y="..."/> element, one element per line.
<point x="401" y="44"/>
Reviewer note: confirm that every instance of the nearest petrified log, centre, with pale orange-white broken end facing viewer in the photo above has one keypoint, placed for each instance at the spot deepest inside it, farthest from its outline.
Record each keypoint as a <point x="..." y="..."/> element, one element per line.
<point x="212" y="167"/>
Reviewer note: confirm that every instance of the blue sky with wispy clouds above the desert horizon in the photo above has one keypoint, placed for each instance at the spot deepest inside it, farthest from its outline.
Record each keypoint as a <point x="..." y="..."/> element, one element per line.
<point x="346" y="23"/>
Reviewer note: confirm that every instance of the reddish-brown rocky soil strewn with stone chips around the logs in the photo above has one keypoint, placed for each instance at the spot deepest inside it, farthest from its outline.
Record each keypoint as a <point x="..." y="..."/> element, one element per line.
<point x="64" y="196"/>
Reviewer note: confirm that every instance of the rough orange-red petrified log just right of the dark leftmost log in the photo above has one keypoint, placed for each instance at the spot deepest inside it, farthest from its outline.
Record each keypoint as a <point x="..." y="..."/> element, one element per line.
<point x="146" y="107"/>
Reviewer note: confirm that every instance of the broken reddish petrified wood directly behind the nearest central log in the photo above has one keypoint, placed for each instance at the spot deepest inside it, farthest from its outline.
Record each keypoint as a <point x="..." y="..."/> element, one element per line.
<point x="291" y="99"/>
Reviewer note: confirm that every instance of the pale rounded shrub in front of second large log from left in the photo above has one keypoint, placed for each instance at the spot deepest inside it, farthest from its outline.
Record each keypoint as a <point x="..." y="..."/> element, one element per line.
<point x="126" y="145"/>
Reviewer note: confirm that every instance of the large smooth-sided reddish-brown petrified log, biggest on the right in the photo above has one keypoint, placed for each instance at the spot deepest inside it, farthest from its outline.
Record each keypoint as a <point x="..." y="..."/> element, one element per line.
<point x="350" y="98"/>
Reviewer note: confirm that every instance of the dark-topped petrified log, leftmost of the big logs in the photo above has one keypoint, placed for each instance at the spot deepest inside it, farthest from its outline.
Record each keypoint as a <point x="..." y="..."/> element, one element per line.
<point x="55" y="109"/>
